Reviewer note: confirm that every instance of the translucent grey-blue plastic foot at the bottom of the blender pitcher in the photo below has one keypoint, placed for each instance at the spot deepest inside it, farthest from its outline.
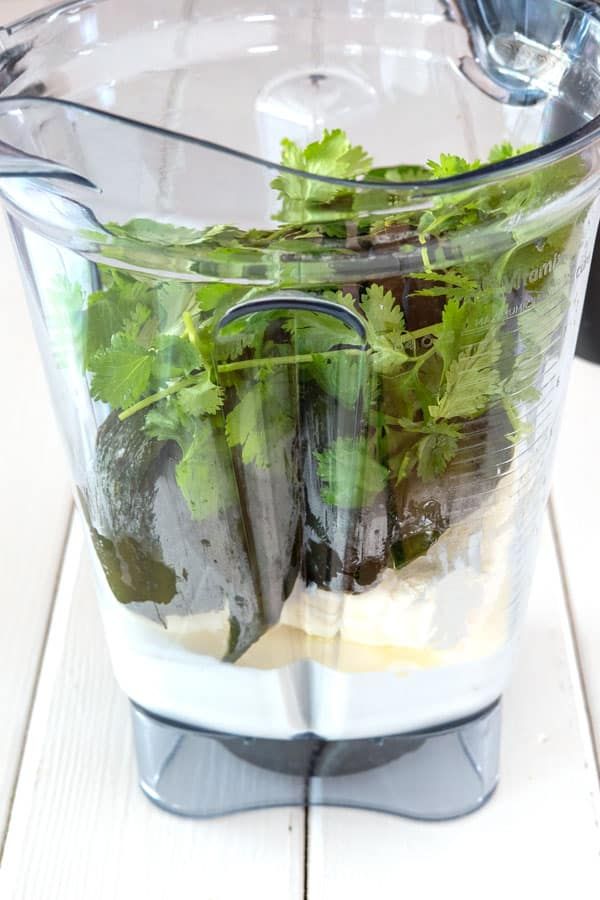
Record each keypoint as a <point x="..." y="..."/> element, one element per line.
<point x="439" y="773"/>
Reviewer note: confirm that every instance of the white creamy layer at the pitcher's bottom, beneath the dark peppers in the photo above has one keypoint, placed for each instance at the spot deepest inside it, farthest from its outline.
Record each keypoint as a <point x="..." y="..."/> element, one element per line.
<point x="430" y="643"/>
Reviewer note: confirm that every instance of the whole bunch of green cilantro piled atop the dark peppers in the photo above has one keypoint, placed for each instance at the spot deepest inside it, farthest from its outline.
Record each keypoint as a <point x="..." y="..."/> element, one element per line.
<point x="442" y="348"/>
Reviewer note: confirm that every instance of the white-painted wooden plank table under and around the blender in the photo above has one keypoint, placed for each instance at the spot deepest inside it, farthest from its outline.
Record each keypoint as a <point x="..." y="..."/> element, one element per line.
<point x="73" y="824"/>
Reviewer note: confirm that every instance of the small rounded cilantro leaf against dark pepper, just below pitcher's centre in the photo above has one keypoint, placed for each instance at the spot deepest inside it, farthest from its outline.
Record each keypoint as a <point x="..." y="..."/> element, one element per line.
<point x="350" y="476"/>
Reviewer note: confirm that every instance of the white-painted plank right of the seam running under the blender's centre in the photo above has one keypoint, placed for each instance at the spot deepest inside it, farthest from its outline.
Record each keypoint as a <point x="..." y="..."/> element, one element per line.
<point x="538" y="836"/>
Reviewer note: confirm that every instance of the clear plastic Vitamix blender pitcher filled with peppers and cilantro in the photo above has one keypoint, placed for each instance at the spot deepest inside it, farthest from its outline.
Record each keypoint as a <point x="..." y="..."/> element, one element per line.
<point x="308" y="380"/>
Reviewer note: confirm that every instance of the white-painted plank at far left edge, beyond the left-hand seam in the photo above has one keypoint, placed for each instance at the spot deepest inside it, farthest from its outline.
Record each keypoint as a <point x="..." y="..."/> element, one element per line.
<point x="35" y="503"/>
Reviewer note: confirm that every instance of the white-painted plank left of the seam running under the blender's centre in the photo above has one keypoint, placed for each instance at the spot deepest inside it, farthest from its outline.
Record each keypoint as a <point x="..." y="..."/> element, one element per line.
<point x="80" y="826"/>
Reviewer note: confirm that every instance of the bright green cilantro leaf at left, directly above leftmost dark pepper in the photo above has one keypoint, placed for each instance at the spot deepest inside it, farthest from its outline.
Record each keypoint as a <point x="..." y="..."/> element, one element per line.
<point x="121" y="373"/>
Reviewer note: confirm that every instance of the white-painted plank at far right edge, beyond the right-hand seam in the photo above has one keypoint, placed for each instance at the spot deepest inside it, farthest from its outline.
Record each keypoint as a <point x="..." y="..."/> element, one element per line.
<point x="576" y="495"/>
